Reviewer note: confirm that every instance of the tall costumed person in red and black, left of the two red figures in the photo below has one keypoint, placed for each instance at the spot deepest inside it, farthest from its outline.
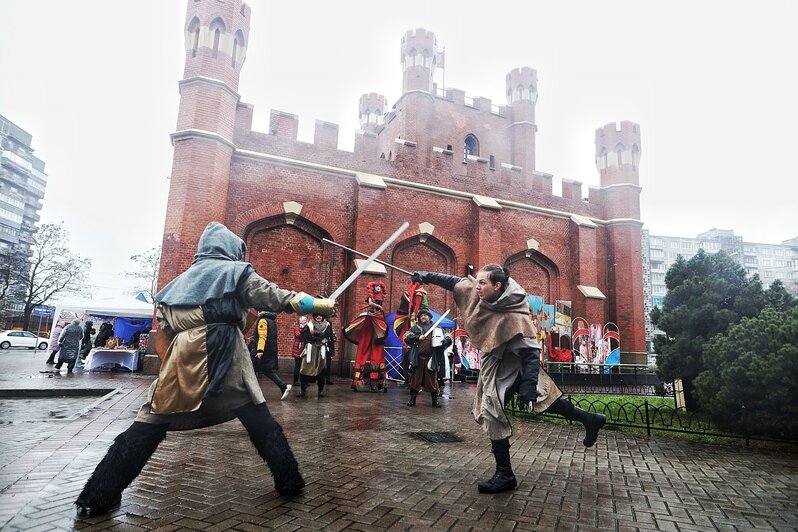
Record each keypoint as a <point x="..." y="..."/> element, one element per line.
<point x="368" y="330"/>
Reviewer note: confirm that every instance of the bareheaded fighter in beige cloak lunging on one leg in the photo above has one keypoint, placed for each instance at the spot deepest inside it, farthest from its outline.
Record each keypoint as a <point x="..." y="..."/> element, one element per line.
<point x="493" y="309"/>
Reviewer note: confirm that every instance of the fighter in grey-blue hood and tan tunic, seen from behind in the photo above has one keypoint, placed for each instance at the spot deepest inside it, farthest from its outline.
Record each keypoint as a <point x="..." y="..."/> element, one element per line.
<point x="206" y="376"/>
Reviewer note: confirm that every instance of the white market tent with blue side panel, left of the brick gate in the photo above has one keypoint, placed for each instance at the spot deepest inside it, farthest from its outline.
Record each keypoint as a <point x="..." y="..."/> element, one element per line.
<point x="128" y="313"/>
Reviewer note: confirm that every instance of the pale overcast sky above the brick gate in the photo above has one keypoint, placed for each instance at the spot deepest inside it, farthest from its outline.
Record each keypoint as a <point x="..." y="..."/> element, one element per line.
<point x="713" y="85"/>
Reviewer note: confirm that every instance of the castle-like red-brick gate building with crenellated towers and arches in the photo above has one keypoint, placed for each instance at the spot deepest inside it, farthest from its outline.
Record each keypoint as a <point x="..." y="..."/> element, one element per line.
<point x="461" y="170"/>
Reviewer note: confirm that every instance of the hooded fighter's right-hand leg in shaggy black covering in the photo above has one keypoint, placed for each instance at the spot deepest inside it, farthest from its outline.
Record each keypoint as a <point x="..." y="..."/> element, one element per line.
<point x="268" y="438"/>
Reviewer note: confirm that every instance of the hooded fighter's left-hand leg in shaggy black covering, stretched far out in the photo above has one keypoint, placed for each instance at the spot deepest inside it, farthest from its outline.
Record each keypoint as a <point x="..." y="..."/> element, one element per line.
<point x="122" y="463"/>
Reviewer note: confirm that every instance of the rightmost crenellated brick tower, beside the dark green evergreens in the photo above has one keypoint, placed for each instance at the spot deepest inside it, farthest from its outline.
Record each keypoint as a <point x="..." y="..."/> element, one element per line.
<point x="618" y="160"/>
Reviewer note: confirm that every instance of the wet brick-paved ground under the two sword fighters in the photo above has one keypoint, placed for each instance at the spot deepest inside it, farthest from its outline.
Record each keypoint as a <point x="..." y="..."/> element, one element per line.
<point x="366" y="470"/>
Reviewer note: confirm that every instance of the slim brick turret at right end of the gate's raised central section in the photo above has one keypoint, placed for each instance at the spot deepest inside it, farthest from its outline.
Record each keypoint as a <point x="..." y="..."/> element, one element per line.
<point x="522" y="94"/>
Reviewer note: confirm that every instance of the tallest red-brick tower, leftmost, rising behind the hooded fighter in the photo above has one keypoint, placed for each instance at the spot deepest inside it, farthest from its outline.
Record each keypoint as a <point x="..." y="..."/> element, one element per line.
<point x="216" y="37"/>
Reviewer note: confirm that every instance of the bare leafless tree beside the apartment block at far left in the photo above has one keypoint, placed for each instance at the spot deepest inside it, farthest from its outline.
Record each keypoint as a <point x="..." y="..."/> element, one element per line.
<point x="54" y="269"/>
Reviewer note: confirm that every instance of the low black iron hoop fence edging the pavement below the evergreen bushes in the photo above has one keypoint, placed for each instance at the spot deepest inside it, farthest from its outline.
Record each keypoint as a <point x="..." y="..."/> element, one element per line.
<point x="651" y="416"/>
